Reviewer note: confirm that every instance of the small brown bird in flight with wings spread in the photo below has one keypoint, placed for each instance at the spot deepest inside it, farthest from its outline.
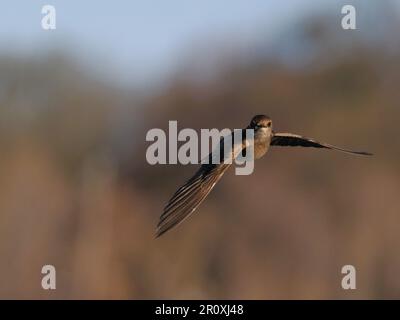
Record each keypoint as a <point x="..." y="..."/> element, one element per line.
<point x="191" y="194"/>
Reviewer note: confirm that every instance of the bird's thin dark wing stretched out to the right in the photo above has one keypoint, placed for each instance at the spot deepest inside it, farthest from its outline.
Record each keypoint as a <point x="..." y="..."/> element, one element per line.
<point x="293" y="140"/>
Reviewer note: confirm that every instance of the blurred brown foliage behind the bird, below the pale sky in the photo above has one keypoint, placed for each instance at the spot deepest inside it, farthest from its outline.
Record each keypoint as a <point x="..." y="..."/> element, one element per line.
<point x="76" y="191"/>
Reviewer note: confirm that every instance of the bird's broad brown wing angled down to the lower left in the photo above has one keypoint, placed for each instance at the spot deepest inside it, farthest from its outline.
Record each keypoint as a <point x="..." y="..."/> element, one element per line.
<point x="189" y="196"/>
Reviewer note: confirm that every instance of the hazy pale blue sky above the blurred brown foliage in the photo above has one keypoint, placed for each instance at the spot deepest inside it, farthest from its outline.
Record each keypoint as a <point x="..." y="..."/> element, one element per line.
<point x="139" y="39"/>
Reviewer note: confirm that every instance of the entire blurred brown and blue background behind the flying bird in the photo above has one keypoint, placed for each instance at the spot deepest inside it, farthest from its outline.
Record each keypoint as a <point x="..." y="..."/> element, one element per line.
<point x="76" y="190"/>
